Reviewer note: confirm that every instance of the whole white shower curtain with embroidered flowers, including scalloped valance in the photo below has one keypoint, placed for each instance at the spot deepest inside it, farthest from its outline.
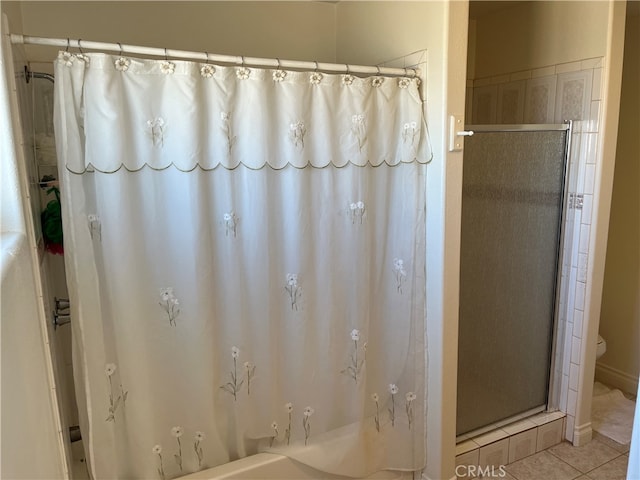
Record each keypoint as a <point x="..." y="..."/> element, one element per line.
<point x="245" y="253"/>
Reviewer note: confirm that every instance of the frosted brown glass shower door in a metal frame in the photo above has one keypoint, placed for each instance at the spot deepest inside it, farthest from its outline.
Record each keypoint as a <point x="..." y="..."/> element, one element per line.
<point x="512" y="200"/>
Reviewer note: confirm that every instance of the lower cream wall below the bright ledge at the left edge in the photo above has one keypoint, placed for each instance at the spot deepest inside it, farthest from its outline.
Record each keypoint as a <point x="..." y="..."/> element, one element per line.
<point x="29" y="441"/>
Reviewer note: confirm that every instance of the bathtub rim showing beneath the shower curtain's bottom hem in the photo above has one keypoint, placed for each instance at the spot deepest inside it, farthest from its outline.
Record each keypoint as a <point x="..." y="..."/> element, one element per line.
<point x="270" y="466"/>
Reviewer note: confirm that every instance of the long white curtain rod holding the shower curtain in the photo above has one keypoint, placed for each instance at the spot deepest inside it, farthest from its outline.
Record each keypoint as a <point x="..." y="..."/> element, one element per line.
<point x="206" y="57"/>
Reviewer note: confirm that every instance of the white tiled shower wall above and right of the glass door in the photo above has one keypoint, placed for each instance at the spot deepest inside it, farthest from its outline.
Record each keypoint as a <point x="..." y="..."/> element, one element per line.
<point x="568" y="91"/>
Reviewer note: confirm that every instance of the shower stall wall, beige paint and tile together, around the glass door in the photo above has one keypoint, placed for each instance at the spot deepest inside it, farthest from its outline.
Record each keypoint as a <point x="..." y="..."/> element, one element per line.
<point x="543" y="62"/>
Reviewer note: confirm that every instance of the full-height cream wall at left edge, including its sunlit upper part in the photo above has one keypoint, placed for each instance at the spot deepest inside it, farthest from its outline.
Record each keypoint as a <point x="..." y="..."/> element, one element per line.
<point x="31" y="445"/>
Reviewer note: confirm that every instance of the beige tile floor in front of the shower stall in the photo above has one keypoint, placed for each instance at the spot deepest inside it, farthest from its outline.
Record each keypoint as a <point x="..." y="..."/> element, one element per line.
<point x="600" y="459"/>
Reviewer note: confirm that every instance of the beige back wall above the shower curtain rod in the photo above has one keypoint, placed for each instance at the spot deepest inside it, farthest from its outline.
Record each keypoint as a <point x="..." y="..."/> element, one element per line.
<point x="292" y="30"/>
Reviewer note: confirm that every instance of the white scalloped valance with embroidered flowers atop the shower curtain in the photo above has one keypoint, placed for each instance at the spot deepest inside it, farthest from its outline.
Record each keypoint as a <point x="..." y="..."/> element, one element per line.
<point x="221" y="116"/>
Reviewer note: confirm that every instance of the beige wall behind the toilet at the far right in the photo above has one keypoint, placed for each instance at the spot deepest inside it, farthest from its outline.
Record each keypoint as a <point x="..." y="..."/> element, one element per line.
<point x="620" y="314"/>
